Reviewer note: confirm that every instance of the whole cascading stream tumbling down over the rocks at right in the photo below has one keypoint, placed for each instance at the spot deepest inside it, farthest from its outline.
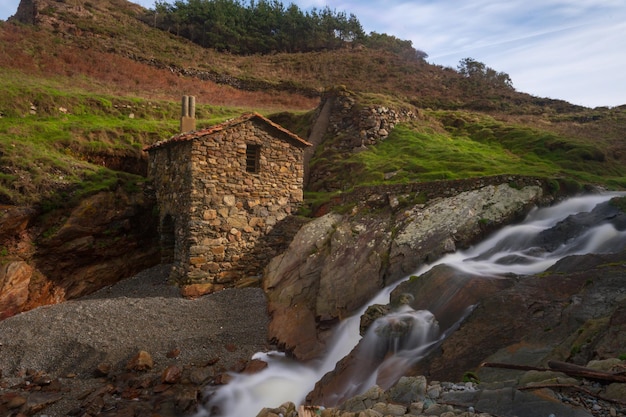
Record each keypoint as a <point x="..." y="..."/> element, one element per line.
<point x="402" y="337"/>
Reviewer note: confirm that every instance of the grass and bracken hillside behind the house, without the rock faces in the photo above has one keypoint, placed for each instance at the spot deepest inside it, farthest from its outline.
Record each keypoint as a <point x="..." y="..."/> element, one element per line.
<point x="72" y="83"/>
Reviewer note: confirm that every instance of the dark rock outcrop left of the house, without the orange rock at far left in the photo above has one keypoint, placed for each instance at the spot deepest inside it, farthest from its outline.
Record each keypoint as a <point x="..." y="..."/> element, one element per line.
<point x="107" y="237"/>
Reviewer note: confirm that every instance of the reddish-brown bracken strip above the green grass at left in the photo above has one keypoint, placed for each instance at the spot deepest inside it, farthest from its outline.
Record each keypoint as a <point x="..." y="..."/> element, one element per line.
<point x="33" y="52"/>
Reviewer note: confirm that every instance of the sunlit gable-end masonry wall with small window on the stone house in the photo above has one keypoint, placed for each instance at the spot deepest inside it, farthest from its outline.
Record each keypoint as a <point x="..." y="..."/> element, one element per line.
<point x="233" y="210"/>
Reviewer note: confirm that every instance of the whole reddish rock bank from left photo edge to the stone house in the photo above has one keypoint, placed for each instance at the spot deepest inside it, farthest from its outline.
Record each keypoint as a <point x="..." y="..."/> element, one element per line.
<point x="53" y="258"/>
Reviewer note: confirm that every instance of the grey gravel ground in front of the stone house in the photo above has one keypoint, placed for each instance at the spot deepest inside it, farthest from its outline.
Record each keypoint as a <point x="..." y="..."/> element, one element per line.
<point x="71" y="339"/>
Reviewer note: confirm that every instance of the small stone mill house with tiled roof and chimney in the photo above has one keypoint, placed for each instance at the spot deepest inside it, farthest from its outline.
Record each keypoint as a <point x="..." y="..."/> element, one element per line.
<point x="220" y="191"/>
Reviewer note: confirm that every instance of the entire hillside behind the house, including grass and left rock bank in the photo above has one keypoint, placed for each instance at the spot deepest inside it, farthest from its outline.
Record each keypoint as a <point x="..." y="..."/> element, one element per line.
<point x="87" y="85"/>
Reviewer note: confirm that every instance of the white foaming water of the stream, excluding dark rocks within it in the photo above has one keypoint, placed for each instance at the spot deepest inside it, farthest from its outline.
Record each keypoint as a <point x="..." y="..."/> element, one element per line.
<point x="507" y="251"/>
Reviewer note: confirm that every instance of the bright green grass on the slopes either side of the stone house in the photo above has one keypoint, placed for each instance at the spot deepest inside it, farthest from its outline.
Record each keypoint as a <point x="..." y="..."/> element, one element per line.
<point x="50" y="132"/>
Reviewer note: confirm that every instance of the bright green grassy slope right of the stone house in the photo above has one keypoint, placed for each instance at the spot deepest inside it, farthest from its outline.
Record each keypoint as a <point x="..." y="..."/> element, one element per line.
<point x="476" y="145"/>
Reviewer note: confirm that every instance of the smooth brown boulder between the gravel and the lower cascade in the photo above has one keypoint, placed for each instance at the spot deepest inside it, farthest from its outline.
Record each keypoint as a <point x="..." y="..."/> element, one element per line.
<point x="327" y="259"/>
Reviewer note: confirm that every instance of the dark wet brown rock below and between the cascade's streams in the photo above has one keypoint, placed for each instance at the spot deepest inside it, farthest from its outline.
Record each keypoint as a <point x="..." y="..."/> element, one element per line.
<point x="574" y="312"/>
